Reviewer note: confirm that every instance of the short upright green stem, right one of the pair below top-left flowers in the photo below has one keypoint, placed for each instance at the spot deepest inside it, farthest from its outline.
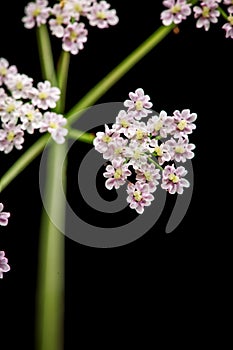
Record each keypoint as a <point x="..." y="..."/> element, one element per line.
<point x="62" y="77"/>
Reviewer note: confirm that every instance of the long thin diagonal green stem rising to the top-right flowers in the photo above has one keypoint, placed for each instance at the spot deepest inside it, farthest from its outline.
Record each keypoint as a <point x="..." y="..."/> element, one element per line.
<point x="117" y="73"/>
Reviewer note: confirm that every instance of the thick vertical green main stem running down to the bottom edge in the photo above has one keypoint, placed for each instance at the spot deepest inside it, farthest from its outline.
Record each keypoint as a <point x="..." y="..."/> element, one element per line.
<point x="50" y="286"/>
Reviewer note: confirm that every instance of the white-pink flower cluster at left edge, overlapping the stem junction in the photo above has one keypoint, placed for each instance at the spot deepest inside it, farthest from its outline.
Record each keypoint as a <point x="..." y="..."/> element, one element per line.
<point x="23" y="108"/>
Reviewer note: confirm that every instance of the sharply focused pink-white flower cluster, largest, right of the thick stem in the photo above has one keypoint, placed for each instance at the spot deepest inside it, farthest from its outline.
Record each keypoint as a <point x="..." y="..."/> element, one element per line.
<point x="141" y="153"/>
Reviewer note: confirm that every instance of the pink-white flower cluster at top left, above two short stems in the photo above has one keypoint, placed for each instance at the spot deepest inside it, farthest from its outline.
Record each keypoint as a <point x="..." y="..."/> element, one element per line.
<point x="65" y="19"/>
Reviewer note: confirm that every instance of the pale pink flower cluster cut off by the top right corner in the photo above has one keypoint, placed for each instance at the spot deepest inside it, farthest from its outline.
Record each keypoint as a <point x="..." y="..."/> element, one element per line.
<point x="206" y="12"/>
